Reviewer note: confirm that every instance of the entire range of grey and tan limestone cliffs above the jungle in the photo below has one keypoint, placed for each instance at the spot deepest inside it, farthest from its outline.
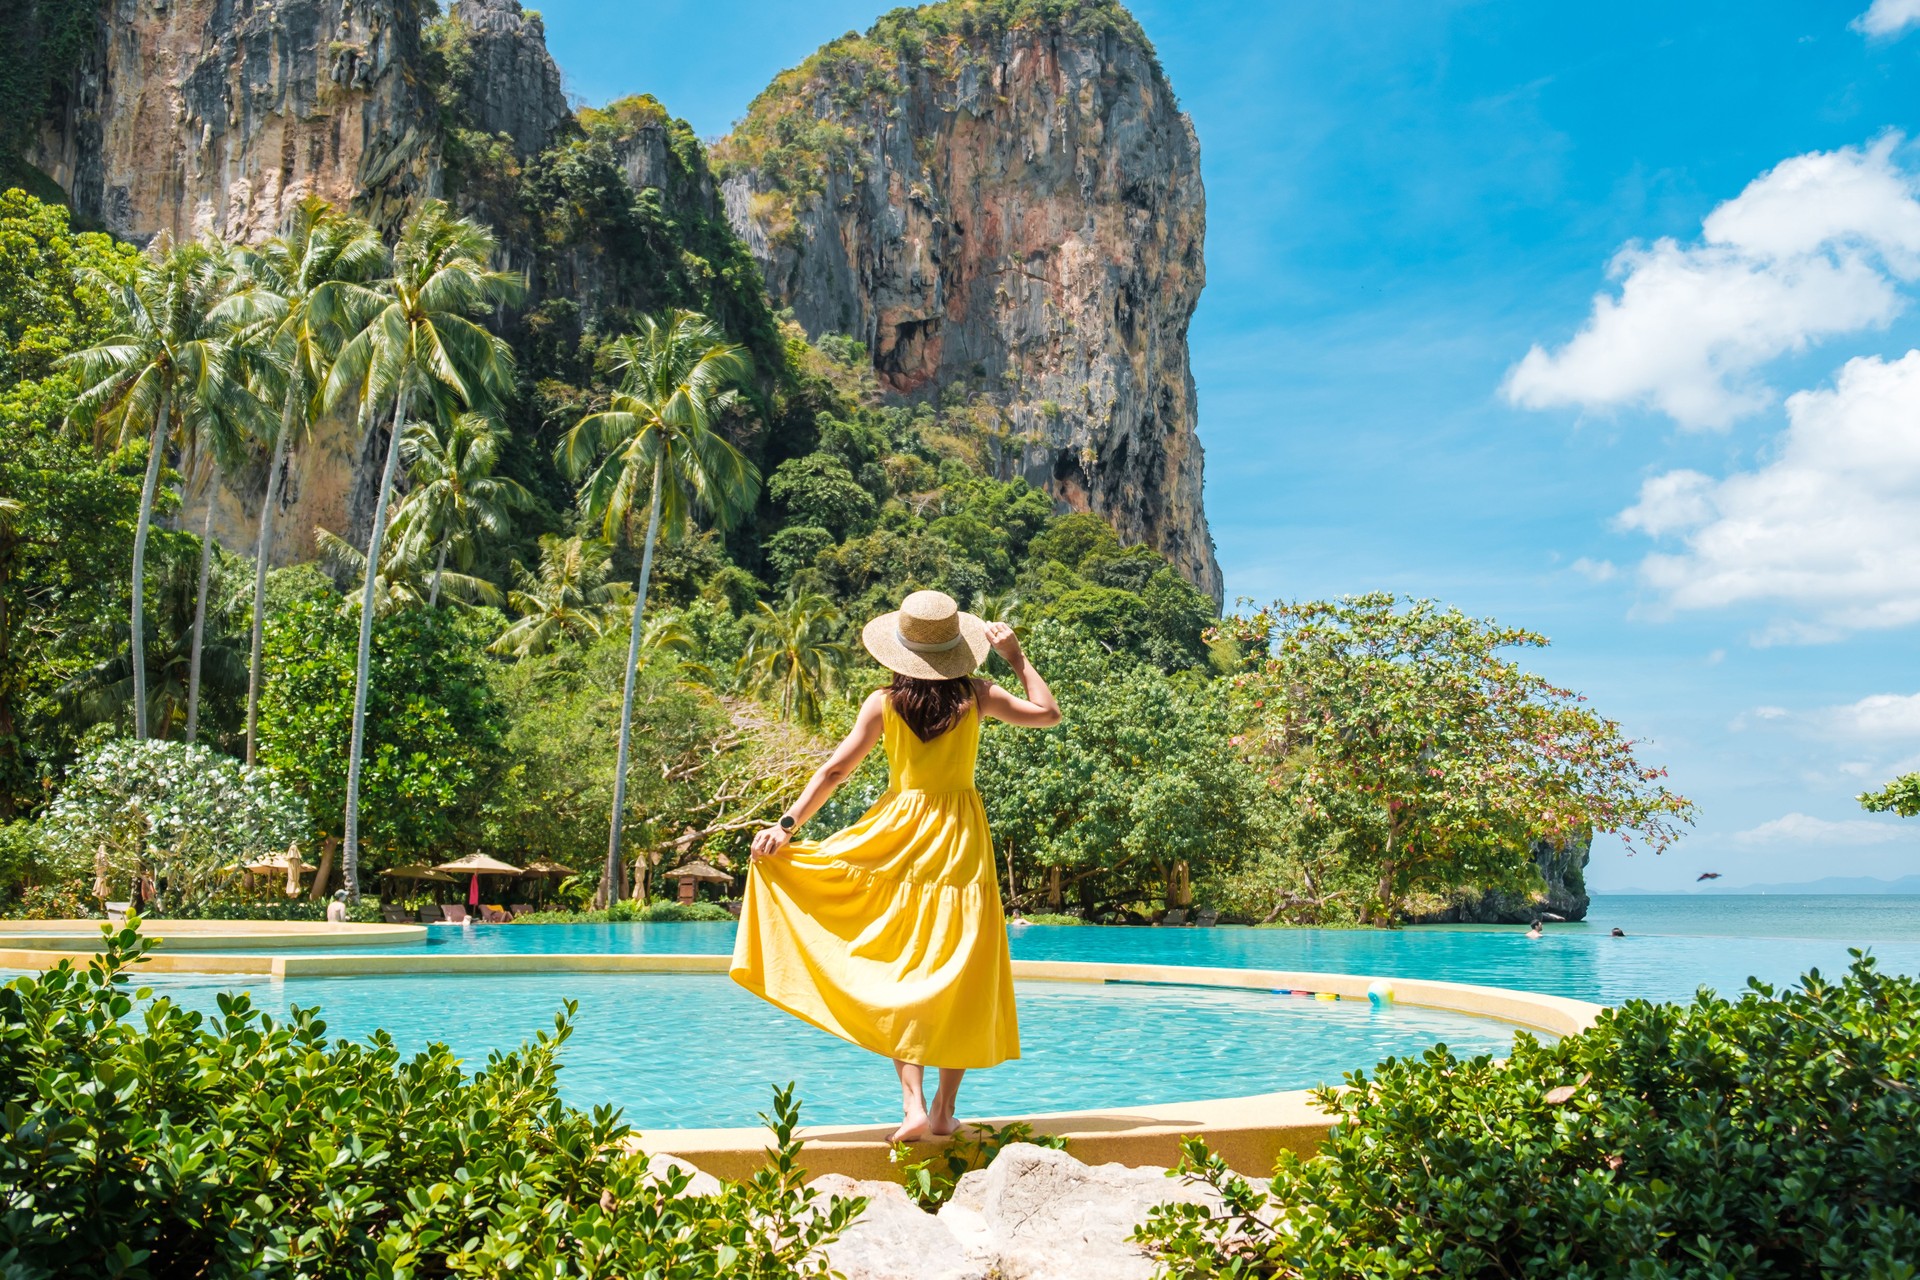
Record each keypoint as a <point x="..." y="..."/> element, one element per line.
<point x="997" y="206"/>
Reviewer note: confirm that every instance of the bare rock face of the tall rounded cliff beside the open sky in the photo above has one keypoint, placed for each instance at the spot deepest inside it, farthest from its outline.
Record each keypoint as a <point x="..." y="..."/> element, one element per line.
<point x="1017" y="212"/>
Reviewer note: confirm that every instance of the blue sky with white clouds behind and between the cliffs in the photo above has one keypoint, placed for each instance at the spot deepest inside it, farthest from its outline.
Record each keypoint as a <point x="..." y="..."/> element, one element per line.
<point x="1698" y="486"/>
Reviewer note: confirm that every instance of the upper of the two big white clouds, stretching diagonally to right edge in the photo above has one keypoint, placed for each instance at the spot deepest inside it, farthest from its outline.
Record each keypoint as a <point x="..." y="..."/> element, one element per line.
<point x="1810" y="250"/>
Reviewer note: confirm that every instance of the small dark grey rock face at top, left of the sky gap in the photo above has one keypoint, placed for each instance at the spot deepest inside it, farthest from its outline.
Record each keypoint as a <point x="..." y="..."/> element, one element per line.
<point x="514" y="85"/>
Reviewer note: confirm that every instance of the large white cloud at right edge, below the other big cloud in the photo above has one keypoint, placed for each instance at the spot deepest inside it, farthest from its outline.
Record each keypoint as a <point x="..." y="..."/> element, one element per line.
<point x="1829" y="529"/>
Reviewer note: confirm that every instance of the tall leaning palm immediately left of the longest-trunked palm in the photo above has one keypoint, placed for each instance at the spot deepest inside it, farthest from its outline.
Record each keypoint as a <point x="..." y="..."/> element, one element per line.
<point x="295" y="302"/>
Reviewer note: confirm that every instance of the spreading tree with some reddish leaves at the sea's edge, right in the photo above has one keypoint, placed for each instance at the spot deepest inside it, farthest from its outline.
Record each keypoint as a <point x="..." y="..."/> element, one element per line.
<point x="1414" y="755"/>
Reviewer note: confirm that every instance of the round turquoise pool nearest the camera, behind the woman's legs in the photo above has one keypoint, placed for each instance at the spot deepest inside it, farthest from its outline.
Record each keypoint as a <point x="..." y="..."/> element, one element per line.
<point x="692" y="1051"/>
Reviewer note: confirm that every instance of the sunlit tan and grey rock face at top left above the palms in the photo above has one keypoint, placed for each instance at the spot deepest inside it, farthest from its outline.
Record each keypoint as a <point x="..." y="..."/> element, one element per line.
<point x="222" y="114"/>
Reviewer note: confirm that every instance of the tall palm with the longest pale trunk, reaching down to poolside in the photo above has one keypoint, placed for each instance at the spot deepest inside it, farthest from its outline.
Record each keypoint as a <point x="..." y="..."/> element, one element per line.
<point x="418" y="344"/>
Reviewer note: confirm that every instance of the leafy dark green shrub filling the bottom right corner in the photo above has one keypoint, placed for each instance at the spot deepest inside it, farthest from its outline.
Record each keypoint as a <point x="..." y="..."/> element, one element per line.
<point x="1764" y="1137"/>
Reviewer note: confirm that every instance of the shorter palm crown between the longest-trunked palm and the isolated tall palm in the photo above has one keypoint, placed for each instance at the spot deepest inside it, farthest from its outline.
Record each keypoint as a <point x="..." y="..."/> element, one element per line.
<point x="454" y="498"/>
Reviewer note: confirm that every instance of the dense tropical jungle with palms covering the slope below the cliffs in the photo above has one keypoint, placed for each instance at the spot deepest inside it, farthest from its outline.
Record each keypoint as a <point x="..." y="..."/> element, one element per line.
<point x="598" y="600"/>
